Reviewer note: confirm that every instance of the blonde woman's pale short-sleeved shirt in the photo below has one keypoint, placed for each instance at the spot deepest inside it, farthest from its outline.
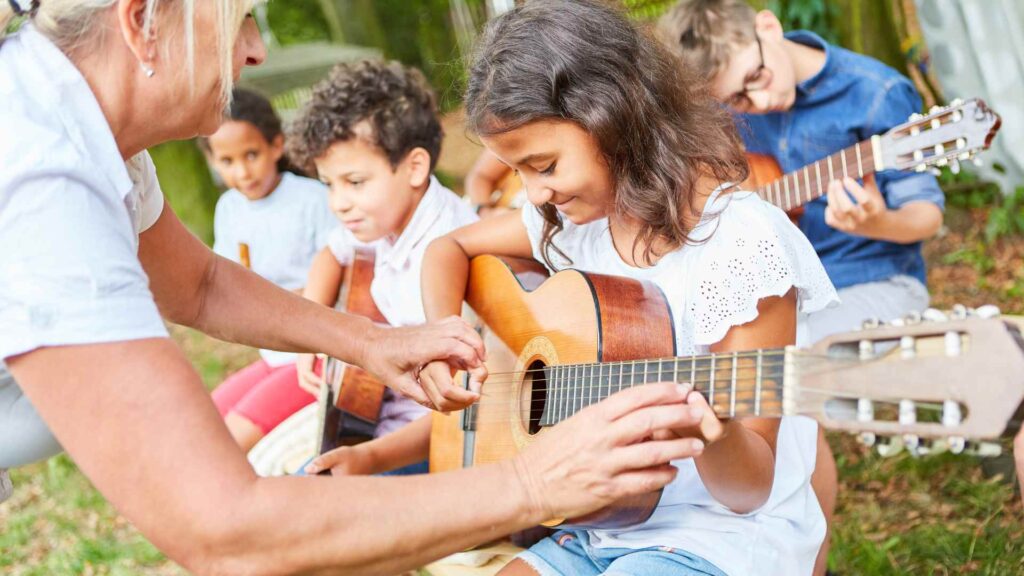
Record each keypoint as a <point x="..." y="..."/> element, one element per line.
<point x="71" y="211"/>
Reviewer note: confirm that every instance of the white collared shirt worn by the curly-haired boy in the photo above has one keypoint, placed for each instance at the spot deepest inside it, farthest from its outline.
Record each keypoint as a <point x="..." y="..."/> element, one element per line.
<point x="397" y="275"/>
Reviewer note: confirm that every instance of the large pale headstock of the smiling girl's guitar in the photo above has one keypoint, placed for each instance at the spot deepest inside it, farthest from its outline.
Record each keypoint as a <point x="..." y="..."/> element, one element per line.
<point x="953" y="378"/>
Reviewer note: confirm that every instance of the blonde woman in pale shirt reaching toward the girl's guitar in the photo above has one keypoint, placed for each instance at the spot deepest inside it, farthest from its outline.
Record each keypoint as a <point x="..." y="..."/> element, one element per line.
<point x="92" y="259"/>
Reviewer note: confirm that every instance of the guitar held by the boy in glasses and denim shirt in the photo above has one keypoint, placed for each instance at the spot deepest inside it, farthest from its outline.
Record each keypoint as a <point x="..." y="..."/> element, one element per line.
<point x="945" y="138"/>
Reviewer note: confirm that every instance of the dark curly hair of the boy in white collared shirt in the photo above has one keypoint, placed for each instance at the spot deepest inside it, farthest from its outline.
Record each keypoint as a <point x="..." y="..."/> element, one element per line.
<point x="396" y="102"/>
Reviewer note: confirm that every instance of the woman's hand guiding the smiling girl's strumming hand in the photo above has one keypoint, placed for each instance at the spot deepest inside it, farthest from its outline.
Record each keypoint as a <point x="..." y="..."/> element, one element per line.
<point x="397" y="355"/>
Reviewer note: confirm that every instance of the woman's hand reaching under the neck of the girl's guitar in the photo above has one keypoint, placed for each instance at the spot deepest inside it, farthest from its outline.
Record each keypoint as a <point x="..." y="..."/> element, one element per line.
<point x="606" y="452"/>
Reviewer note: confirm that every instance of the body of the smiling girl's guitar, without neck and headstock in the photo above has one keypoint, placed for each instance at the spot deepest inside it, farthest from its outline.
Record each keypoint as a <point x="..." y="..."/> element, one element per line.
<point x="572" y="318"/>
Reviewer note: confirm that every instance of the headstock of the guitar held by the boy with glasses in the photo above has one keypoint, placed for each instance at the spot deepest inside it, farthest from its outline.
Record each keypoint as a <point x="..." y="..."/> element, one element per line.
<point x="946" y="137"/>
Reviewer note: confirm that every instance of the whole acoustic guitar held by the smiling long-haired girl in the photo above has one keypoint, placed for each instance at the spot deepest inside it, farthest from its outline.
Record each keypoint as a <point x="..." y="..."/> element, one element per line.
<point x="557" y="346"/>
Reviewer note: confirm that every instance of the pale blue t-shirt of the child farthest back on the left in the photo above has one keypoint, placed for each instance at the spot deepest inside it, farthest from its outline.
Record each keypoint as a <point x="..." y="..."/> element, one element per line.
<point x="284" y="233"/>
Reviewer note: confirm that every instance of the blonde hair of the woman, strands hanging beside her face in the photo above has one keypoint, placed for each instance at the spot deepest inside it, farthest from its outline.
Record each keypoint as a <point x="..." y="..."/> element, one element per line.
<point x="71" y="26"/>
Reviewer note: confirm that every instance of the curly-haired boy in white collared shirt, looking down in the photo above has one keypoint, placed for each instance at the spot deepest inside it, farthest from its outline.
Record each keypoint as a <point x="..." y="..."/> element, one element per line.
<point x="372" y="135"/>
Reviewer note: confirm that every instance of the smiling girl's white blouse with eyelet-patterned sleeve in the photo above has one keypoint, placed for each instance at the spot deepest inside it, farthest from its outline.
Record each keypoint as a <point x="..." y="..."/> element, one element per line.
<point x="745" y="251"/>
